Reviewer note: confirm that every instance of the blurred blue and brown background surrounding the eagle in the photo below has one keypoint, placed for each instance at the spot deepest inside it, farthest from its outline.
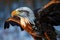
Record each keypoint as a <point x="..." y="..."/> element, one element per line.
<point x="14" y="33"/>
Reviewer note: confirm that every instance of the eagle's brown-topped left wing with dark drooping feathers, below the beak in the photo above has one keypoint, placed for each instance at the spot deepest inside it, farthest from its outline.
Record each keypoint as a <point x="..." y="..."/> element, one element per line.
<point x="13" y="21"/>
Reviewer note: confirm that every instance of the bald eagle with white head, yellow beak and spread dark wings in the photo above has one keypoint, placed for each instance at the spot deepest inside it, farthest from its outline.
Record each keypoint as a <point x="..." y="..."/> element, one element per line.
<point x="39" y="25"/>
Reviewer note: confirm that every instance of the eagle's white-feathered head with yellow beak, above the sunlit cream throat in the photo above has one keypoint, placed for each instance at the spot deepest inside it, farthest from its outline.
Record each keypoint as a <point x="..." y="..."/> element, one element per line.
<point x="24" y="12"/>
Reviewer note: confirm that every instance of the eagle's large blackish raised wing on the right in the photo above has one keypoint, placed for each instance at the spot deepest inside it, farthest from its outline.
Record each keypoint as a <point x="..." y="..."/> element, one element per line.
<point x="51" y="14"/>
